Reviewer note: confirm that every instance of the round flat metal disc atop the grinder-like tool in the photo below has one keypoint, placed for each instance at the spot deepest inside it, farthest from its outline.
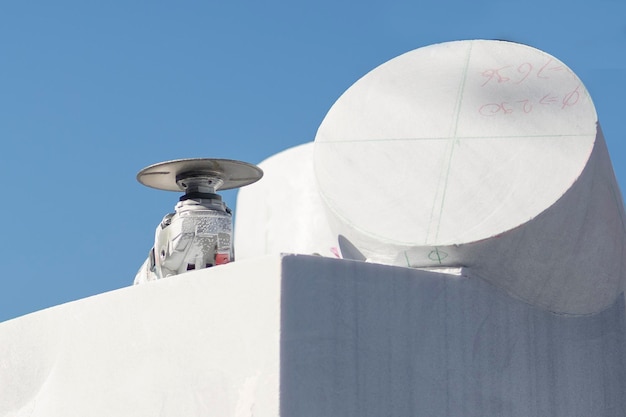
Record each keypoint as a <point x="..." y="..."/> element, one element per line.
<point x="168" y="175"/>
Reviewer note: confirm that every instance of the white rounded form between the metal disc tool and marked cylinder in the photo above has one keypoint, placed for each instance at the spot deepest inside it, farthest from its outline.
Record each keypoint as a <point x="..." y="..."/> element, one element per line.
<point x="283" y="213"/>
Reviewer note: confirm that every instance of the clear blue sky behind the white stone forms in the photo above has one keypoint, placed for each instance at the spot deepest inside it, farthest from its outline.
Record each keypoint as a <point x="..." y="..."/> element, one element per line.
<point x="93" y="91"/>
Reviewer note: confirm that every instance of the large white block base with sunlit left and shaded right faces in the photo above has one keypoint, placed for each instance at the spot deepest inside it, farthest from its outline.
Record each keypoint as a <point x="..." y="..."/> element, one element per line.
<point x="307" y="336"/>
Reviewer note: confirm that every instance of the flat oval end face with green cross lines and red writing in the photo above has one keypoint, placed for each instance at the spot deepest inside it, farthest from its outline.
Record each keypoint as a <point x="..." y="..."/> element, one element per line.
<point x="454" y="143"/>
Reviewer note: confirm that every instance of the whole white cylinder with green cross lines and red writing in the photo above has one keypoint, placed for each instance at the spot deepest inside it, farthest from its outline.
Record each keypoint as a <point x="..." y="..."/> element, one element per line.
<point x="483" y="154"/>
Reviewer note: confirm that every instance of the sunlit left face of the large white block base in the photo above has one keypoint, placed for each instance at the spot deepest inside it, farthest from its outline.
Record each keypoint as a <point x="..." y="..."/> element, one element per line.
<point x="203" y="343"/>
